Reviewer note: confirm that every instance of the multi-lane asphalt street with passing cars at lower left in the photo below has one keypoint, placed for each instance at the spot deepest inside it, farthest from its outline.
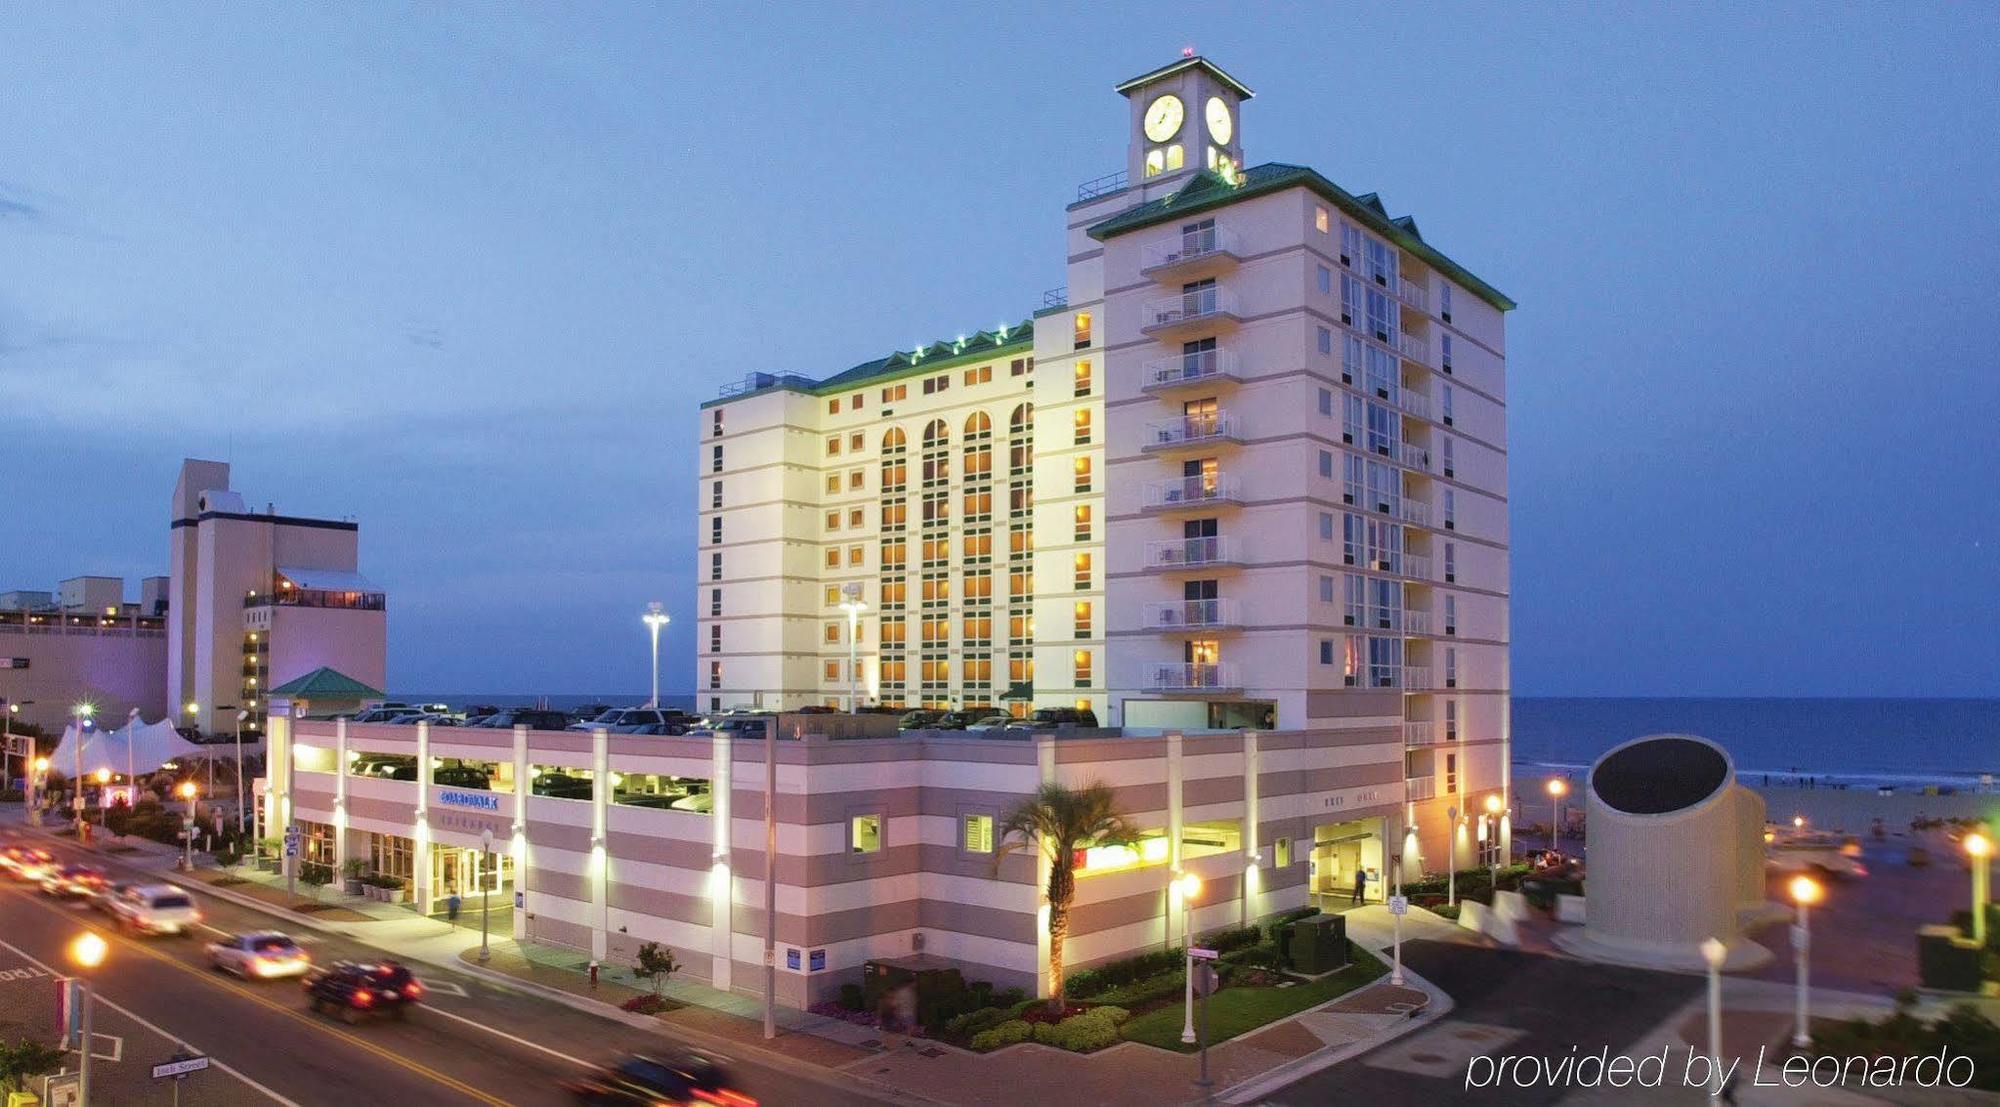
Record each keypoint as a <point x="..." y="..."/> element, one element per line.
<point x="471" y="1042"/>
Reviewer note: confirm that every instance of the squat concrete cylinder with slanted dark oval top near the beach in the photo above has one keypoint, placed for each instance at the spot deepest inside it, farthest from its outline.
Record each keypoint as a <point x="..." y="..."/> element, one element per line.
<point x="1677" y="856"/>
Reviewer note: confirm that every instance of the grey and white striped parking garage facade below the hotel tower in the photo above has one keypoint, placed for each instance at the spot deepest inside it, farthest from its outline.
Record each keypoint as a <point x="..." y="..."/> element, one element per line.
<point x="603" y="876"/>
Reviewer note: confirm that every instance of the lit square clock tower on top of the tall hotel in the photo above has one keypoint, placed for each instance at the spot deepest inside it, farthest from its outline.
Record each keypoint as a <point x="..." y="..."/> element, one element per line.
<point x="1185" y="117"/>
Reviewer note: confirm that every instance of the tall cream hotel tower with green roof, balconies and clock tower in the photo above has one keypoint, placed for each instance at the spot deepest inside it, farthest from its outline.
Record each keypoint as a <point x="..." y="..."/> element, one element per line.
<point x="1247" y="471"/>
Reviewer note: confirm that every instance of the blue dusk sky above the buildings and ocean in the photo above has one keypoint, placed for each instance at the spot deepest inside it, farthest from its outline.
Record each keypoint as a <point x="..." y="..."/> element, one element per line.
<point x="465" y="275"/>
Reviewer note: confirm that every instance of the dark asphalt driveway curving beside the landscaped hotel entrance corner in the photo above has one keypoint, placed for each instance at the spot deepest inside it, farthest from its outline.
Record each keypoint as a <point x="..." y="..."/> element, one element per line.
<point x="1505" y="1004"/>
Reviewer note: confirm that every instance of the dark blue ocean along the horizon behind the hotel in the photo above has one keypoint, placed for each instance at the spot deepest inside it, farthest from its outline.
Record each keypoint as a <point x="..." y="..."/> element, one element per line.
<point x="1947" y="742"/>
